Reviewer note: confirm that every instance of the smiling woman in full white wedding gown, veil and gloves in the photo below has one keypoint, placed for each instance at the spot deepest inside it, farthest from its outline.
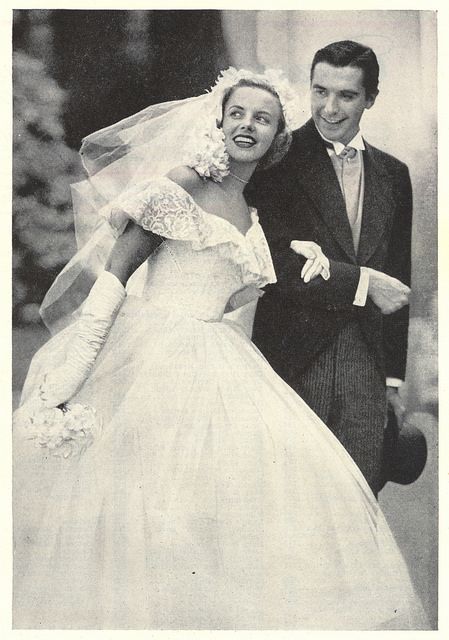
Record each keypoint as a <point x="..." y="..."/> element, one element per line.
<point x="195" y="489"/>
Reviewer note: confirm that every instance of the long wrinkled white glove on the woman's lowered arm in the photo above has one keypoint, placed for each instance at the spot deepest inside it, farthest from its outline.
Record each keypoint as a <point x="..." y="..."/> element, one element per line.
<point x="97" y="316"/>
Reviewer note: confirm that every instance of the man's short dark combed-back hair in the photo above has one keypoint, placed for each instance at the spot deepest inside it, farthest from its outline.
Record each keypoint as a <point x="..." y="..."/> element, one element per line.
<point x="347" y="53"/>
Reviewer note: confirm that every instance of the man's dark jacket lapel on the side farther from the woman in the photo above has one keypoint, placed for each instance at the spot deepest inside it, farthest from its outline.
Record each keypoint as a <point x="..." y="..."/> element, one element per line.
<point x="378" y="205"/>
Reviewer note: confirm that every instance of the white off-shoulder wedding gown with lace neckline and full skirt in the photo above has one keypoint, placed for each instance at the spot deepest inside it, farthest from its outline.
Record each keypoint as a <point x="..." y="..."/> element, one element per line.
<point x="214" y="498"/>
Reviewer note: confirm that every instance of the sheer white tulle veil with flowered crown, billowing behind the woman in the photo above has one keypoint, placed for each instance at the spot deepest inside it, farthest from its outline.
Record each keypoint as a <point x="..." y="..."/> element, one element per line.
<point x="124" y="157"/>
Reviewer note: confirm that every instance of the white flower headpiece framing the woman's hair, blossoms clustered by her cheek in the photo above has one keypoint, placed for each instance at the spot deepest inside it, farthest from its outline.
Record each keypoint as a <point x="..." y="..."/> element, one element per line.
<point x="210" y="158"/>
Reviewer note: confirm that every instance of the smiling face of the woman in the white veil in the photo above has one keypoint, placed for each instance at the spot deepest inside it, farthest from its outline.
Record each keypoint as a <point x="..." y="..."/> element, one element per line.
<point x="251" y="118"/>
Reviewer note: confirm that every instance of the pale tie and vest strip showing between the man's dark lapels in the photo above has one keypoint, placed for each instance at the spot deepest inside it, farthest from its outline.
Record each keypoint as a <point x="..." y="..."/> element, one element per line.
<point x="350" y="184"/>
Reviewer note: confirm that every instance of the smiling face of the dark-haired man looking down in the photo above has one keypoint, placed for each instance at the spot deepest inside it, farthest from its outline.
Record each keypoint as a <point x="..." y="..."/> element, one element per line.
<point x="338" y="100"/>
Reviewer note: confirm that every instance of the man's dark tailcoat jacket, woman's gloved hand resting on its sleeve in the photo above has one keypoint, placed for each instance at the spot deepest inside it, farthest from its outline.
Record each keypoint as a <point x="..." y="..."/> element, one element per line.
<point x="300" y="199"/>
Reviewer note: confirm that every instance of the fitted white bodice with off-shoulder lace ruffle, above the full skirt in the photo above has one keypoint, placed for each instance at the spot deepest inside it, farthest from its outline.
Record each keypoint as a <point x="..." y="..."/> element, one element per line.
<point x="205" y="262"/>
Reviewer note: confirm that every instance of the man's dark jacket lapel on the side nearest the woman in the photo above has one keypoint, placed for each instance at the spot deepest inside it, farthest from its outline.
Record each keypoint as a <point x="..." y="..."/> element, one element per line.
<point x="315" y="172"/>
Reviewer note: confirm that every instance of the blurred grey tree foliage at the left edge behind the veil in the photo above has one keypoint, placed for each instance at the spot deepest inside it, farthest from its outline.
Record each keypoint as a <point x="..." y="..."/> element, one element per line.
<point x="43" y="168"/>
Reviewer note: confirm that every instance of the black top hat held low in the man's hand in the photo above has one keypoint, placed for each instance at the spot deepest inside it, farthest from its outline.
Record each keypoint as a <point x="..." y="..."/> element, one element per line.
<point x="404" y="452"/>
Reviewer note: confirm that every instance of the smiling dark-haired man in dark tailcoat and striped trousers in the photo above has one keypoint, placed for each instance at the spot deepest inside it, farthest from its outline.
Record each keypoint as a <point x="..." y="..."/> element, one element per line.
<point x="341" y="343"/>
